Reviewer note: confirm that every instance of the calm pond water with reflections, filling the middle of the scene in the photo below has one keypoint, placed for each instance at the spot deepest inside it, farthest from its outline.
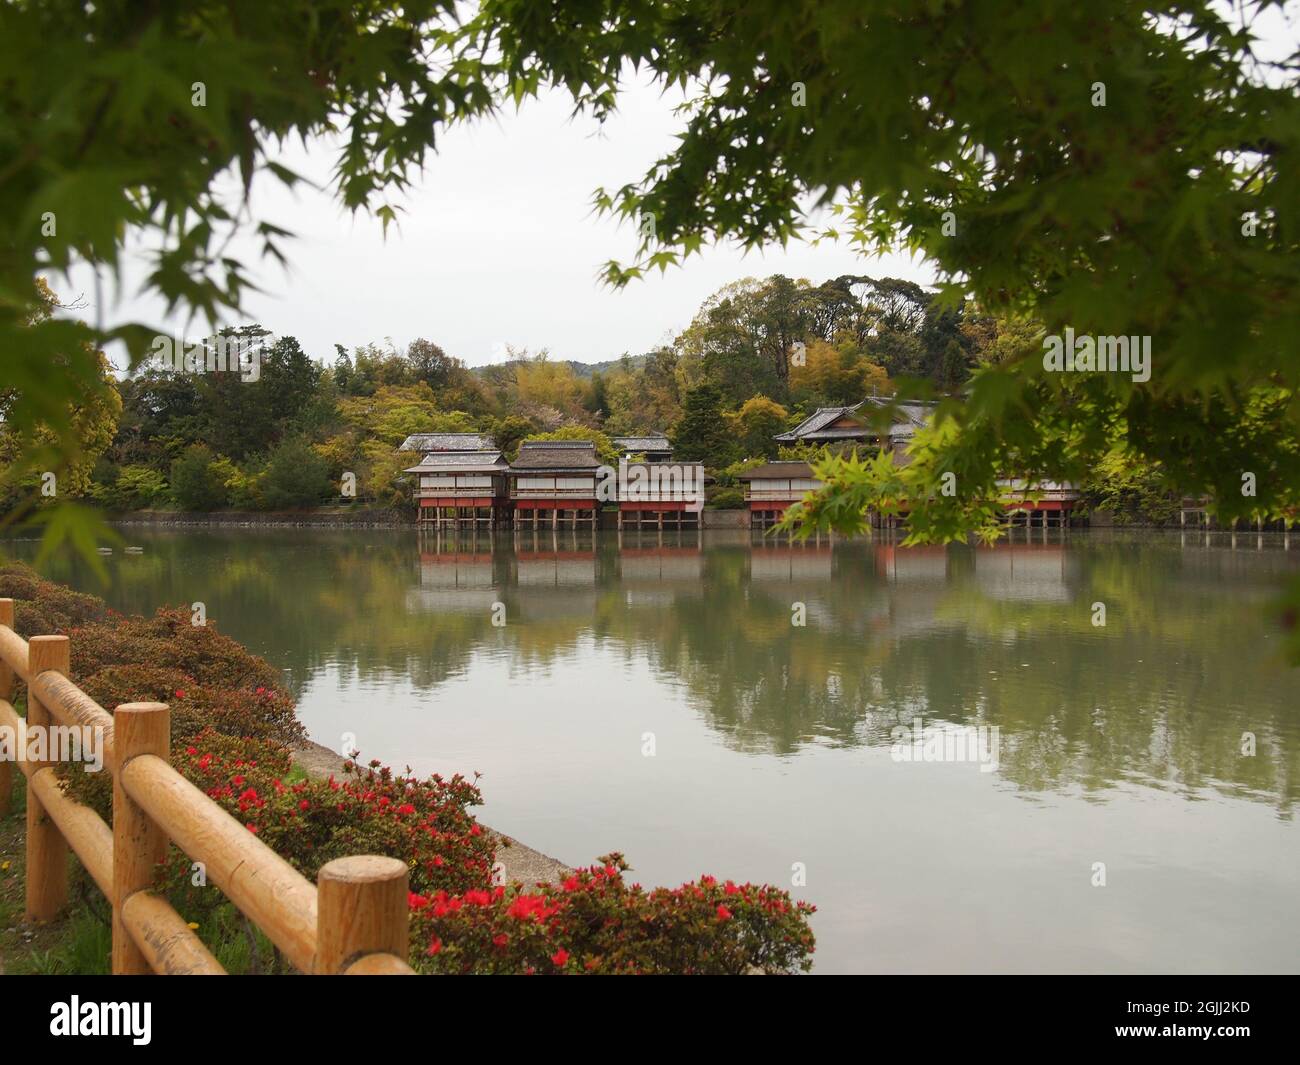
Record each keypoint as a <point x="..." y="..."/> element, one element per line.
<point x="773" y="742"/>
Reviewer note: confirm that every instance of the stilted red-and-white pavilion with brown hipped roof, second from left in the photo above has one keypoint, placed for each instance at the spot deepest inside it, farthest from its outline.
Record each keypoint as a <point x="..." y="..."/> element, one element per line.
<point x="554" y="480"/>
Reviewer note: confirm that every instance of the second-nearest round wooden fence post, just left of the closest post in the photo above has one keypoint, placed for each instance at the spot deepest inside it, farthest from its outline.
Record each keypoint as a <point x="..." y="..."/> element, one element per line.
<point x="138" y="843"/>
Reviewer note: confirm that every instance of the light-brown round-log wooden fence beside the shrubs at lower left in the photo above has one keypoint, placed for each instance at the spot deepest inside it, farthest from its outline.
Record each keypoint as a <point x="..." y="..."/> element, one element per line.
<point x="353" y="921"/>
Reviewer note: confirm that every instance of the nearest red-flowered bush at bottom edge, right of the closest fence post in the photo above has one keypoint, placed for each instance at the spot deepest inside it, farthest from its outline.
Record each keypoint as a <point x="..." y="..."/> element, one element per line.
<point x="596" y="924"/>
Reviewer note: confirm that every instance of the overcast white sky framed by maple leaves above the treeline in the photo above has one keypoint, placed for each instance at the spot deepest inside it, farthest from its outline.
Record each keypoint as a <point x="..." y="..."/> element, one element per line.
<point x="499" y="246"/>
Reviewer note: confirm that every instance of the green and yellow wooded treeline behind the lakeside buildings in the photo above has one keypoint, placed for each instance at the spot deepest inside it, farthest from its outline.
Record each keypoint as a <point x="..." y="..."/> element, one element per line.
<point x="757" y="358"/>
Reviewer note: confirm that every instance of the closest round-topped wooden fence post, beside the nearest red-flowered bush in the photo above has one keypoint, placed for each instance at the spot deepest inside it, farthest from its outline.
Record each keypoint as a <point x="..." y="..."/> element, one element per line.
<point x="362" y="910"/>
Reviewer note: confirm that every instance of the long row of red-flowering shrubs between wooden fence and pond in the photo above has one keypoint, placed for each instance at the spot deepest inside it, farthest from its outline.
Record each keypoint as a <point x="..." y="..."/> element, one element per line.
<point x="235" y="731"/>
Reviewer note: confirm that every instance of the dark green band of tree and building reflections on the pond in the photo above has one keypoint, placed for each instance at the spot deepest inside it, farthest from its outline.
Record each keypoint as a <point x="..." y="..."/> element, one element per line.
<point x="1003" y="635"/>
